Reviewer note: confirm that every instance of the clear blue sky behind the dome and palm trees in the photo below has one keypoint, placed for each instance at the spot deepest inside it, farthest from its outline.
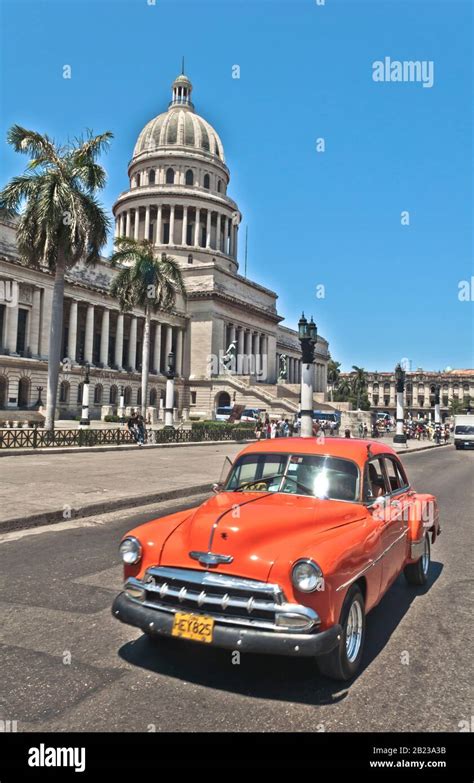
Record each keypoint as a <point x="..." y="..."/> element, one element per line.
<point x="332" y="218"/>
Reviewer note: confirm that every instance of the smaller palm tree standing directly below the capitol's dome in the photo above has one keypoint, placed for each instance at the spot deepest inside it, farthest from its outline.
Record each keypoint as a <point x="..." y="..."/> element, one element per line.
<point x="145" y="281"/>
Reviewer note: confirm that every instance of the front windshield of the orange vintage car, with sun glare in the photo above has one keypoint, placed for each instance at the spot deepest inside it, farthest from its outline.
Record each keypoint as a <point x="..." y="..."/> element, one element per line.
<point x="319" y="476"/>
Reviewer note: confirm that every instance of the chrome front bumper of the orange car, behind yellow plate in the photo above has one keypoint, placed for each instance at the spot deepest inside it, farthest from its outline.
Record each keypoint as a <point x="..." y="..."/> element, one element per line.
<point x="230" y="637"/>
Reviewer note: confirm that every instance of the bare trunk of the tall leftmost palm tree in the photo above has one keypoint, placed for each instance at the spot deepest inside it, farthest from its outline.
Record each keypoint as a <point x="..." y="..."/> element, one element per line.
<point x="55" y="340"/>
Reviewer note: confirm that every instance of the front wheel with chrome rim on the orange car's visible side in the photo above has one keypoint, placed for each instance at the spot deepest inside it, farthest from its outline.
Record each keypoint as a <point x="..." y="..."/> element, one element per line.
<point x="343" y="662"/>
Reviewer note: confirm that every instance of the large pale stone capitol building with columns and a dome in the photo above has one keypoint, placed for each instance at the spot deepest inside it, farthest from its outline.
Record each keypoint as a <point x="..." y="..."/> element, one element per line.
<point x="177" y="197"/>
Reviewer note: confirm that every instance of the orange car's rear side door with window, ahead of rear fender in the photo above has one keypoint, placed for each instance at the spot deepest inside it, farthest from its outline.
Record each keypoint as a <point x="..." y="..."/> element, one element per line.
<point x="396" y="519"/>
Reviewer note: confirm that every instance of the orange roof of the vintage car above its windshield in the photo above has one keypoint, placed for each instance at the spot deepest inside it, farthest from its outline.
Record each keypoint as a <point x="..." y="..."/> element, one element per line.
<point x="349" y="448"/>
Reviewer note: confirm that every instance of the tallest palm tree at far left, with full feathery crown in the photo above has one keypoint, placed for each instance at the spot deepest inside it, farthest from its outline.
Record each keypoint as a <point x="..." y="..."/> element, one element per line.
<point x="60" y="221"/>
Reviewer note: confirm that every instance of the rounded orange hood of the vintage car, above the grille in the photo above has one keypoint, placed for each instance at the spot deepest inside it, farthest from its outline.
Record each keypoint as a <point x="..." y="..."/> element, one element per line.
<point x="254" y="529"/>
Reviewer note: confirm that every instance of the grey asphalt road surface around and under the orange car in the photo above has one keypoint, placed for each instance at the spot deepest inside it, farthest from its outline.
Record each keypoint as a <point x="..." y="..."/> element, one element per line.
<point x="68" y="665"/>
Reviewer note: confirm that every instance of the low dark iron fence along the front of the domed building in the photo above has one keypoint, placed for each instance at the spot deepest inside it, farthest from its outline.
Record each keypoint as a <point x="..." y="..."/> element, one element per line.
<point x="37" y="438"/>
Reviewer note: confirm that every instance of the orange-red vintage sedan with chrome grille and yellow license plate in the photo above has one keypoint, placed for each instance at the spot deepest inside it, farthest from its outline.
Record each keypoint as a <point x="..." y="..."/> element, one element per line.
<point x="302" y="539"/>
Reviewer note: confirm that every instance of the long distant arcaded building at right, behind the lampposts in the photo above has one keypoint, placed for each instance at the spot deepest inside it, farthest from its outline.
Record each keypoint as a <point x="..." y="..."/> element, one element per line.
<point x="420" y="388"/>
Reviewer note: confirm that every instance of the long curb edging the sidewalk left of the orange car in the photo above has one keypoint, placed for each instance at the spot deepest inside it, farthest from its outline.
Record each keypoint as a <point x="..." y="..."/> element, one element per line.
<point x="53" y="517"/>
